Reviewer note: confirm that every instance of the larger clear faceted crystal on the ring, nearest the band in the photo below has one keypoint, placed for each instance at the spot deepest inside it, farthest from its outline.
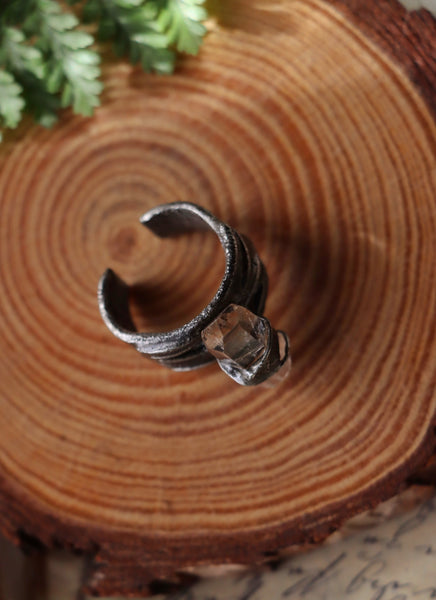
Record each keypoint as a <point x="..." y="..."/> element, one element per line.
<point x="237" y="335"/>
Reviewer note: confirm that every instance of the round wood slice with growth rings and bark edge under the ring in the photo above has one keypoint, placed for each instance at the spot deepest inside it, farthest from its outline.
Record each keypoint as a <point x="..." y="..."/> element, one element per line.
<point x="298" y="126"/>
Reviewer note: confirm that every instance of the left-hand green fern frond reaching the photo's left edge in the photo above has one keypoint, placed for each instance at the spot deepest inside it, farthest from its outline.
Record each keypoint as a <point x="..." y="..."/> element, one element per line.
<point x="49" y="59"/>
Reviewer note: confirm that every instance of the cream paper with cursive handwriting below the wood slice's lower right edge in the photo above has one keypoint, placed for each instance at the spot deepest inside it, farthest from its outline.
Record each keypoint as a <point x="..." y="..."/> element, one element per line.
<point x="393" y="561"/>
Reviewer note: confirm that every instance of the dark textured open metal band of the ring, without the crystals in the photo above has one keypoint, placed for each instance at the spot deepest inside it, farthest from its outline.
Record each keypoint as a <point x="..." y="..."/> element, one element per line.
<point x="244" y="283"/>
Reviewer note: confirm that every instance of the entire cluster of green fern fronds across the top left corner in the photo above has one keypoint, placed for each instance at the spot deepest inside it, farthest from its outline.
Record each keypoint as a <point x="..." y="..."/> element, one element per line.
<point x="47" y="60"/>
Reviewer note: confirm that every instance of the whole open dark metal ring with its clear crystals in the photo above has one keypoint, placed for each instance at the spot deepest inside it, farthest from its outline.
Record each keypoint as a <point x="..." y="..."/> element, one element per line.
<point x="231" y="329"/>
